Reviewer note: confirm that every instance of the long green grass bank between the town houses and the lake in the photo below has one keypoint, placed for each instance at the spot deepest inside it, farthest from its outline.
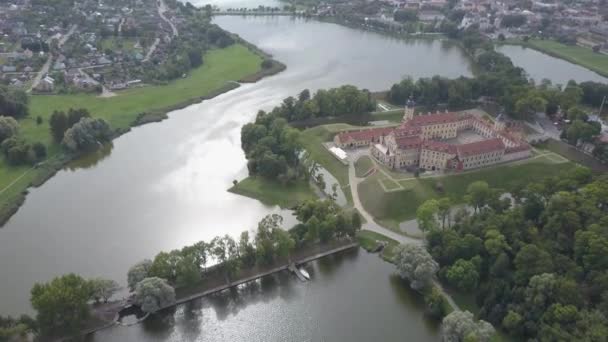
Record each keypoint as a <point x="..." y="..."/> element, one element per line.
<point x="128" y="108"/>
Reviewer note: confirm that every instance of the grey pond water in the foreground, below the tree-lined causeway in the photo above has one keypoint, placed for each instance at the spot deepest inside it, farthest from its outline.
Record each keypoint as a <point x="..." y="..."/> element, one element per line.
<point x="353" y="296"/>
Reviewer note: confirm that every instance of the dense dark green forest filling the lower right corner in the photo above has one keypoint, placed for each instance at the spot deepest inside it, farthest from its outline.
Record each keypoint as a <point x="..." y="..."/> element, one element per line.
<point x="538" y="268"/>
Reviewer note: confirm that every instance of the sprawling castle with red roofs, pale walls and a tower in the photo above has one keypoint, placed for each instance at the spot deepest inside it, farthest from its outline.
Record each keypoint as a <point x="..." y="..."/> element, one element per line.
<point x="439" y="141"/>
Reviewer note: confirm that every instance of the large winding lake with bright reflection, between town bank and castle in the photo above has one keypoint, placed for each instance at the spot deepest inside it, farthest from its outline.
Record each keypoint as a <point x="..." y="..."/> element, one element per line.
<point x="163" y="185"/>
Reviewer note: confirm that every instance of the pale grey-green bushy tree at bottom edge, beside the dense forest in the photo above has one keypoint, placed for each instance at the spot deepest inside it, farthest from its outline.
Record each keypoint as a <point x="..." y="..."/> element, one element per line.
<point x="460" y="326"/>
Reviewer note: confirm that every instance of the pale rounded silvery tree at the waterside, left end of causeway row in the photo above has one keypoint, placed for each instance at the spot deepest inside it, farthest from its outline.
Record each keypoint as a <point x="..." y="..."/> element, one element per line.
<point x="152" y="294"/>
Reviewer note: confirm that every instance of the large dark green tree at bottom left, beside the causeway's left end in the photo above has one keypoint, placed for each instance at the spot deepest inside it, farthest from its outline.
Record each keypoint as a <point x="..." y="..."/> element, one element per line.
<point x="61" y="304"/>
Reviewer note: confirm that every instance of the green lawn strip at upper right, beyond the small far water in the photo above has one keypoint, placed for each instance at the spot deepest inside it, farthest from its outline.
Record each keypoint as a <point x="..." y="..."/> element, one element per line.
<point x="573" y="53"/>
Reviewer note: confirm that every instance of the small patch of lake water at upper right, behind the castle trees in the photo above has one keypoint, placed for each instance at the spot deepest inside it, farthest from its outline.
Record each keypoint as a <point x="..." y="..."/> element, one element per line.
<point x="540" y="66"/>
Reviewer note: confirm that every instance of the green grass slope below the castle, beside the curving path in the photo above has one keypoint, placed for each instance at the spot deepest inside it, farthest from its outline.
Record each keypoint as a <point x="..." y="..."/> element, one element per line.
<point x="393" y="207"/>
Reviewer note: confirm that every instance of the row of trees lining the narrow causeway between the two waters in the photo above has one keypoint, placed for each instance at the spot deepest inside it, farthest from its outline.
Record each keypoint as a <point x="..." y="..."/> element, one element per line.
<point x="321" y="220"/>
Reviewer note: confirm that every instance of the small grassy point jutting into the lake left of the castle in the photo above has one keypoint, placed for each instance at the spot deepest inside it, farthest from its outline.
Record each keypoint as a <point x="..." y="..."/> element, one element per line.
<point x="274" y="193"/>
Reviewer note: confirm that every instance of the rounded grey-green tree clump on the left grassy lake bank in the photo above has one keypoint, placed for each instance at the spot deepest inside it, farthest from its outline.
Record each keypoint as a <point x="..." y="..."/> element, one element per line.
<point x="87" y="134"/>
